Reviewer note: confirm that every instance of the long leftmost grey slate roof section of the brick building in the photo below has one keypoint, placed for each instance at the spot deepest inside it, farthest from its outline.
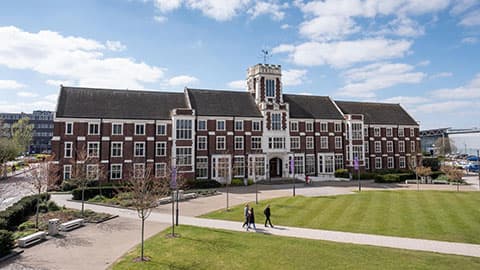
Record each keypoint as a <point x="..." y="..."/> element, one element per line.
<point x="117" y="104"/>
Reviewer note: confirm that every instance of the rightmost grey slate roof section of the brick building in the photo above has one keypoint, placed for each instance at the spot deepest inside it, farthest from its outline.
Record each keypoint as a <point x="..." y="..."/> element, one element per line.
<point x="378" y="113"/>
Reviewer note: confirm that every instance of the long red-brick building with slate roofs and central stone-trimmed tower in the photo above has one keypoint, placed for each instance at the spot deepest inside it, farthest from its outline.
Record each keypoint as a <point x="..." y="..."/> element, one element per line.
<point x="254" y="133"/>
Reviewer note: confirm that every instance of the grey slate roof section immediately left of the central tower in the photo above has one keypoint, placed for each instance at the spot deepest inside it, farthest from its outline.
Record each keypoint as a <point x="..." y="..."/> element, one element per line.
<point x="222" y="103"/>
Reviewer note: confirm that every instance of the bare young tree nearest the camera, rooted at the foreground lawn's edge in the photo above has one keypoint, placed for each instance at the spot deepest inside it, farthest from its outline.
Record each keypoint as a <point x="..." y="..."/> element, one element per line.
<point x="145" y="190"/>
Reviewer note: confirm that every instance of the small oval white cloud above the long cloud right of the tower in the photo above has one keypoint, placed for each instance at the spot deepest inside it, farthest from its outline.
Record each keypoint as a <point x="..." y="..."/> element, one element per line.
<point x="328" y="28"/>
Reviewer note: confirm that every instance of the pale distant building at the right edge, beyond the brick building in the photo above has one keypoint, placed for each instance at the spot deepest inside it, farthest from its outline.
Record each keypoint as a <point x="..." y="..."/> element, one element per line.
<point x="463" y="141"/>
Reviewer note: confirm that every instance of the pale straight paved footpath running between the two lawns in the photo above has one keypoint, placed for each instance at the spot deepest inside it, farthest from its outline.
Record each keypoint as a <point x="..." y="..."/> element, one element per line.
<point x="335" y="236"/>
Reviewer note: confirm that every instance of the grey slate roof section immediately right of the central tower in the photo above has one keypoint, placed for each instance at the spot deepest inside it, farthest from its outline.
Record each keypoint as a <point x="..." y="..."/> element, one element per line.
<point x="318" y="107"/>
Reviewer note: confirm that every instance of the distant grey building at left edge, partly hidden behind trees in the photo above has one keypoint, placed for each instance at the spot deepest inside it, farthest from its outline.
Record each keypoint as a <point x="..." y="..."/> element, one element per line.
<point x="42" y="122"/>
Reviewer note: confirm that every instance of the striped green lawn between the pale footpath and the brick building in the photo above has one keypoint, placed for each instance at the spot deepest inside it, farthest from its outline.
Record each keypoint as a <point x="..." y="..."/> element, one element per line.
<point x="440" y="215"/>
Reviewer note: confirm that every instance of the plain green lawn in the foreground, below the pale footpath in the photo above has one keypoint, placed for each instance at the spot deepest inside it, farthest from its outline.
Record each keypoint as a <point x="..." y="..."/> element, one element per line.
<point x="200" y="248"/>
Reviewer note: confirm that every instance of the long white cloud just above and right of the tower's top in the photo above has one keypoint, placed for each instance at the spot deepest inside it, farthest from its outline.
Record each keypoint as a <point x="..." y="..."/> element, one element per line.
<point x="344" y="53"/>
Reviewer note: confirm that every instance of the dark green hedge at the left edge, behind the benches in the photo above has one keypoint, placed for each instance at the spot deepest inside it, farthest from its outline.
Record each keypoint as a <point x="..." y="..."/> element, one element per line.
<point x="19" y="212"/>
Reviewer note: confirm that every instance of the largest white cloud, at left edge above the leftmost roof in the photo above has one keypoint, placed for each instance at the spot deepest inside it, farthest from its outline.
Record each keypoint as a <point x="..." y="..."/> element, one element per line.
<point x="72" y="58"/>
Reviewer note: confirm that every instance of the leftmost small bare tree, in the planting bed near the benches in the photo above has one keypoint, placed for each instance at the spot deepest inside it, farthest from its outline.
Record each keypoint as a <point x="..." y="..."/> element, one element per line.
<point x="40" y="175"/>
